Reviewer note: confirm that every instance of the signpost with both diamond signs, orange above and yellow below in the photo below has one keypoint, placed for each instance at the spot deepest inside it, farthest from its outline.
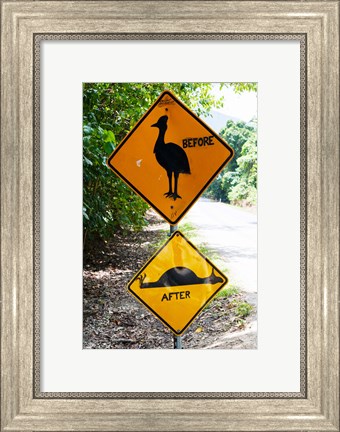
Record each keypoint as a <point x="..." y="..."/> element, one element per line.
<point x="169" y="158"/>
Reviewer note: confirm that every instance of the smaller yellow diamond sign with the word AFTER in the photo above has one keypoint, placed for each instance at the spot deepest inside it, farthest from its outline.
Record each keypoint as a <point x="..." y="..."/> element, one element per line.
<point x="177" y="283"/>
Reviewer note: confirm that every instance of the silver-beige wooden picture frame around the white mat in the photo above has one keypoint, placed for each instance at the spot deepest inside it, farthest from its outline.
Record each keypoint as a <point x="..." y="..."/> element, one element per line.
<point x="315" y="25"/>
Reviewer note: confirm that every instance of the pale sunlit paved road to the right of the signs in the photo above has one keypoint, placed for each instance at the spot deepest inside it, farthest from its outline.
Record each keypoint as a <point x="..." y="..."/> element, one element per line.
<point x="232" y="233"/>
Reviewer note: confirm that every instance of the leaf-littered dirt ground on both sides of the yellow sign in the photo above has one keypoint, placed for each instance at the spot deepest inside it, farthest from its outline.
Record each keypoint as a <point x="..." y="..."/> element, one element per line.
<point x="114" y="319"/>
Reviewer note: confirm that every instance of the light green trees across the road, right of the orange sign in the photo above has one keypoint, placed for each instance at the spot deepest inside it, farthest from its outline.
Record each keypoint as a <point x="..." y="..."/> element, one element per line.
<point x="237" y="183"/>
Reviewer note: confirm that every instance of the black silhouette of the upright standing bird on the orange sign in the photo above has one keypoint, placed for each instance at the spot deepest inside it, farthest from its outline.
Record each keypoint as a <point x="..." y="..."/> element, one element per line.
<point x="171" y="157"/>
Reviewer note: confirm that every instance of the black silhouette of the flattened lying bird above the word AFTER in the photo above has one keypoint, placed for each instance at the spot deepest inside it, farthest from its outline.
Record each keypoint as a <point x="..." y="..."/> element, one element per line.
<point x="177" y="276"/>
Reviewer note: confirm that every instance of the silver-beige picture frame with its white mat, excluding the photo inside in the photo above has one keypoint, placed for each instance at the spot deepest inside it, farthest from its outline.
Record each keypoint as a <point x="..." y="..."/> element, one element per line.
<point x="49" y="49"/>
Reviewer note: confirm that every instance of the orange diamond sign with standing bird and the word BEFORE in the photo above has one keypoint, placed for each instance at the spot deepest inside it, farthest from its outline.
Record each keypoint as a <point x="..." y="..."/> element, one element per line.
<point x="170" y="157"/>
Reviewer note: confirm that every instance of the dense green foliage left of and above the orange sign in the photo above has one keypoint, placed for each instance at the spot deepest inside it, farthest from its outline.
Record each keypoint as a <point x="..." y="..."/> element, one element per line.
<point x="109" y="113"/>
